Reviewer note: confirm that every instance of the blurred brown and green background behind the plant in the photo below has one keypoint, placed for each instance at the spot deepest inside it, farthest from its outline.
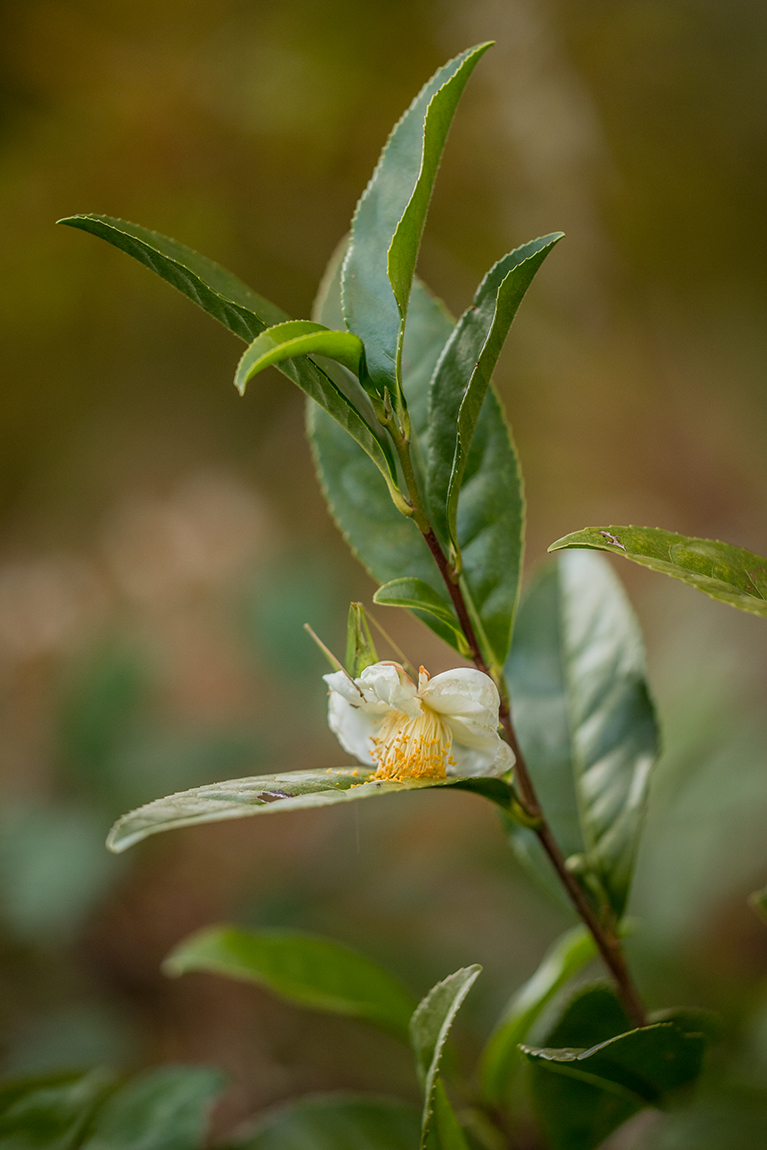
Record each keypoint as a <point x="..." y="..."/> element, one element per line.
<point x="164" y="541"/>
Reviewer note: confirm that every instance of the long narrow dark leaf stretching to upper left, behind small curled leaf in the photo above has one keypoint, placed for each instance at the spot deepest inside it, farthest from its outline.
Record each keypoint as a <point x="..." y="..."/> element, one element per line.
<point x="247" y="315"/>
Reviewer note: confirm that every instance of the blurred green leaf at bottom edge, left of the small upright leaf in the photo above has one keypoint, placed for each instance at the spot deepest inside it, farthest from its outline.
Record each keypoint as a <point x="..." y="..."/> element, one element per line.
<point x="338" y="1122"/>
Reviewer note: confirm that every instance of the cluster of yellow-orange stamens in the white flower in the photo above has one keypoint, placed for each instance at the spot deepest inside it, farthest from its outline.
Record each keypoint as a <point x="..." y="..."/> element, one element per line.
<point x="412" y="748"/>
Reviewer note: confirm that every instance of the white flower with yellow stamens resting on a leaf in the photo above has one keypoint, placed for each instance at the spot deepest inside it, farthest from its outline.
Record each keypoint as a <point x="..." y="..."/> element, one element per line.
<point x="446" y="726"/>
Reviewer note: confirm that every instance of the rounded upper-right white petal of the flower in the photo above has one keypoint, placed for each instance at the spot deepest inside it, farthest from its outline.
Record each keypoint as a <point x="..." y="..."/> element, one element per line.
<point x="469" y="701"/>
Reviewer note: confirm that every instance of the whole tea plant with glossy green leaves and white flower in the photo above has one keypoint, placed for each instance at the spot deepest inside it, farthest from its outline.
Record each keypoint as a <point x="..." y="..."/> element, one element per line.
<point x="554" y="723"/>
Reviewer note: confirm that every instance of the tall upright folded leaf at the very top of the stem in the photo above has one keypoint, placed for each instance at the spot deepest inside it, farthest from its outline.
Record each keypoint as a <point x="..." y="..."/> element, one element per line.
<point x="389" y="221"/>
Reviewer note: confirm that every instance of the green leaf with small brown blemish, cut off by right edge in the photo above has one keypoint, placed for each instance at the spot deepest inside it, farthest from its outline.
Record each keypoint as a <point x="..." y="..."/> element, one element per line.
<point x="719" y="570"/>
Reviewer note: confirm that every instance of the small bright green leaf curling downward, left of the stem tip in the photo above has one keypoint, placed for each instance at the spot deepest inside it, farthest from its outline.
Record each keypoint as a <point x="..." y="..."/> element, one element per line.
<point x="298" y="338"/>
